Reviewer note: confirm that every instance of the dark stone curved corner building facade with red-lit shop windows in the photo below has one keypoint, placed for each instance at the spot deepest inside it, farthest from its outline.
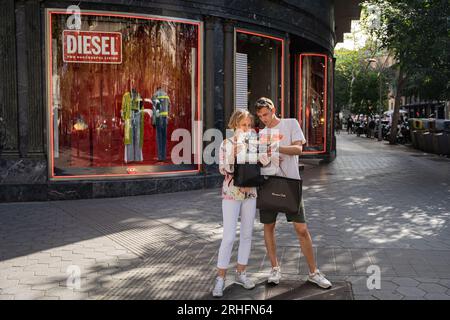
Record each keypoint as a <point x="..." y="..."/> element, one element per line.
<point x="97" y="96"/>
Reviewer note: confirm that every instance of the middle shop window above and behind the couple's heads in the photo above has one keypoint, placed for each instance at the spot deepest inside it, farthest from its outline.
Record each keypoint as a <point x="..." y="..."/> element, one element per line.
<point x="258" y="69"/>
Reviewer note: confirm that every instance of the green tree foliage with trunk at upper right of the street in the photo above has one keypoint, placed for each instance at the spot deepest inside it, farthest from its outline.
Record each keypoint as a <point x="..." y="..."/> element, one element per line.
<point x="416" y="33"/>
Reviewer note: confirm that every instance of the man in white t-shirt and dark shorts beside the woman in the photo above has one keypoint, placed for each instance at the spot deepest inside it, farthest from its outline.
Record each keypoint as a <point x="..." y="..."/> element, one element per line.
<point x="291" y="139"/>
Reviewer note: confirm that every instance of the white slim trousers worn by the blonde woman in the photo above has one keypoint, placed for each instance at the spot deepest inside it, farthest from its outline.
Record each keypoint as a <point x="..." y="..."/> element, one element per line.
<point x="230" y="211"/>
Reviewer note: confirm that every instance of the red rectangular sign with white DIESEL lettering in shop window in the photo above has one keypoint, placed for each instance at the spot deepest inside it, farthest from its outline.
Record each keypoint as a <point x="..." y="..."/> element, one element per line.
<point x="92" y="47"/>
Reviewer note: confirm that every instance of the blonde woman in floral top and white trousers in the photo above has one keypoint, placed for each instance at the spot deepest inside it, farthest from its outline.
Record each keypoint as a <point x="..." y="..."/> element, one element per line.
<point x="236" y="200"/>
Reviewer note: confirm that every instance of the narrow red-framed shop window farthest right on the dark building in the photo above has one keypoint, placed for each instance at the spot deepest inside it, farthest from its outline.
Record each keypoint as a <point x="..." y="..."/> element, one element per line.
<point x="313" y="101"/>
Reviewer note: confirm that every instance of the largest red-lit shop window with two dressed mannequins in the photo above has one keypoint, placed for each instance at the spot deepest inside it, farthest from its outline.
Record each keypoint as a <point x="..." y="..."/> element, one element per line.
<point x="118" y="88"/>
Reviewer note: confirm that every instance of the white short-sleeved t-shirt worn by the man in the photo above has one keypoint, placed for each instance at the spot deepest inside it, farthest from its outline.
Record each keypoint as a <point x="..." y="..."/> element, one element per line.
<point x="286" y="132"/>
